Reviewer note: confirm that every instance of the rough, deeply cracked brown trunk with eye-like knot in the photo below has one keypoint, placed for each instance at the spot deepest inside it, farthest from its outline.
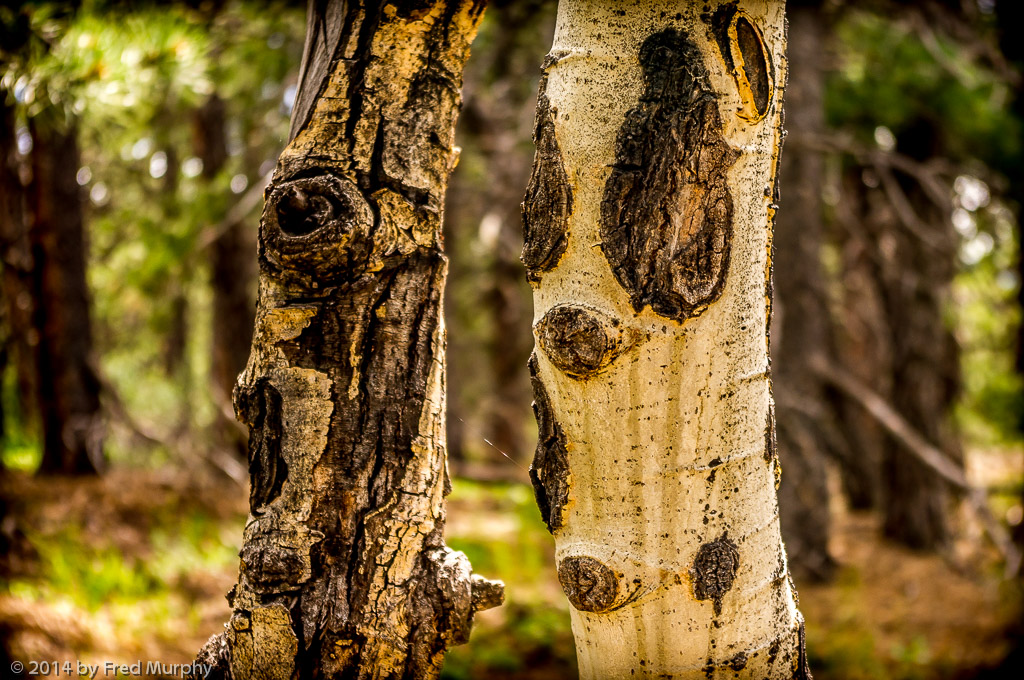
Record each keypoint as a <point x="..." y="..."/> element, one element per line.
<point x="345" y="570"/>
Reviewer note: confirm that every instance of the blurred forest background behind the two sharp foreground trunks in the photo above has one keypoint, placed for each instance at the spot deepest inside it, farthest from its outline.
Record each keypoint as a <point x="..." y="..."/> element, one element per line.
<point x="136" y="142"/>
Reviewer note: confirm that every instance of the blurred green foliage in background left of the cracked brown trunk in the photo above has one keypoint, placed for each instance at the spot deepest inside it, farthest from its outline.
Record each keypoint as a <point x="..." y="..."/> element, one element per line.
<point x="133" y="82"/>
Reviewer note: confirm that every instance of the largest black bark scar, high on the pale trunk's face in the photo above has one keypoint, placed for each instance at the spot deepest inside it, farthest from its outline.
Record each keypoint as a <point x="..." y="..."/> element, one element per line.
<point x="667" y="211"/>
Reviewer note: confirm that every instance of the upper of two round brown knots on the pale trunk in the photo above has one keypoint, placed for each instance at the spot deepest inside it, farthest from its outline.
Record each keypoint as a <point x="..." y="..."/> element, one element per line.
<point x="580" y="342"/>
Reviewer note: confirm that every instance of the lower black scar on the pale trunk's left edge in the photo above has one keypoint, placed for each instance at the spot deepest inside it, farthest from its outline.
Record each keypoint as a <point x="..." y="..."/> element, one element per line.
<point x="549" y="474"/>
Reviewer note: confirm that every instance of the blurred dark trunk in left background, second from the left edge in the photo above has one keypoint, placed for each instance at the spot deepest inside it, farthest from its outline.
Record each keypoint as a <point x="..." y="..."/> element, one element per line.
<point x="67" y="388"/>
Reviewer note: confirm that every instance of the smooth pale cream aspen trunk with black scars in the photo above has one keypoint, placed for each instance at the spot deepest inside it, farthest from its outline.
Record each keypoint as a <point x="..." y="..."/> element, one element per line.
<point x="648" y="240"/>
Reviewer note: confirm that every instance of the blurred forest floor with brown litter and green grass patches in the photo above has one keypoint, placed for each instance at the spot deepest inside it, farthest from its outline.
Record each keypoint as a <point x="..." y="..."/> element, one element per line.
<point x="135" y="567"/>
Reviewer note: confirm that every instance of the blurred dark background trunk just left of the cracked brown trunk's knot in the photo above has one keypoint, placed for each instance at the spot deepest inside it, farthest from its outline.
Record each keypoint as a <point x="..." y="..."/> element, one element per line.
<point x="232" y="276"/>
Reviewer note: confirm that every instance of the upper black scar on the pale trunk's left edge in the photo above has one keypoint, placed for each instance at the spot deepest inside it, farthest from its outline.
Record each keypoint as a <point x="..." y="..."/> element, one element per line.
<point x="548" y="204"/>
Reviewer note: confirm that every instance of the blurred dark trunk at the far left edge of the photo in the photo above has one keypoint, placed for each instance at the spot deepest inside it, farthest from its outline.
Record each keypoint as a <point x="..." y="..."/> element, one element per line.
<point x="16" y="260"/>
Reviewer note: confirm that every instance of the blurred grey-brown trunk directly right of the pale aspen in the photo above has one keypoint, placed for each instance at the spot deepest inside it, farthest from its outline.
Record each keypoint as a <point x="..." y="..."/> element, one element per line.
<point x="800" y="323"/>
